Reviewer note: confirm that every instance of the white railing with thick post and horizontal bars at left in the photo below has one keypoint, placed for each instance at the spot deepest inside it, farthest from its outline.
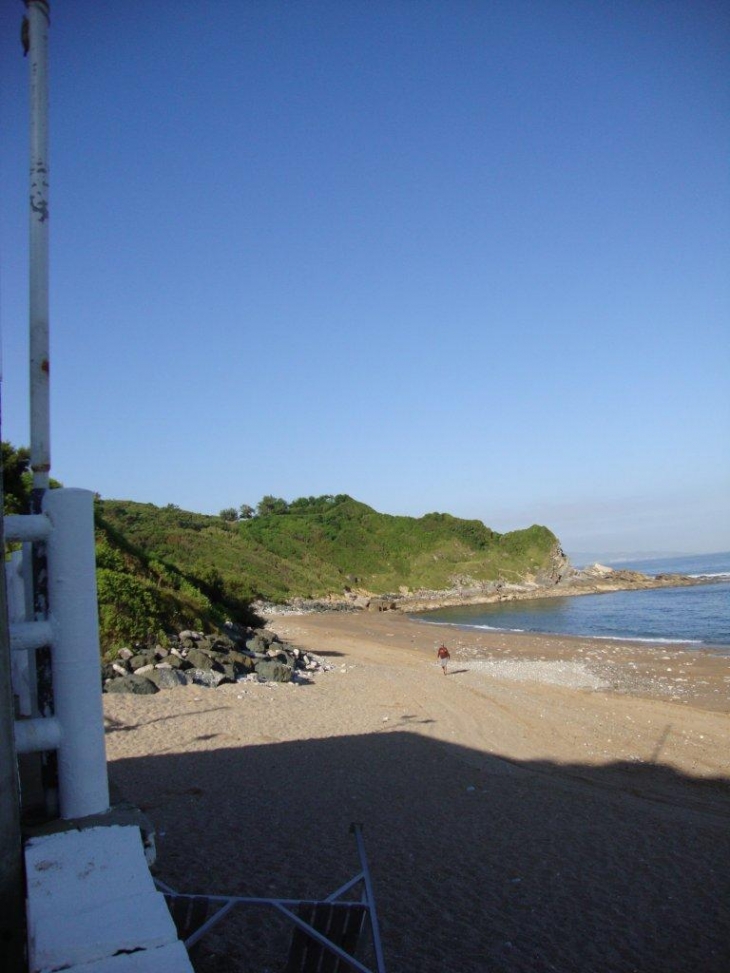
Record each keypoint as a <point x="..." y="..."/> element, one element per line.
<point x="76" y="728"/>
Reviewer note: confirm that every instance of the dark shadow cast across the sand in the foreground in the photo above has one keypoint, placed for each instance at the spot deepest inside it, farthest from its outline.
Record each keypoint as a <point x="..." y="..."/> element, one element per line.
<point x="479" y="863"/>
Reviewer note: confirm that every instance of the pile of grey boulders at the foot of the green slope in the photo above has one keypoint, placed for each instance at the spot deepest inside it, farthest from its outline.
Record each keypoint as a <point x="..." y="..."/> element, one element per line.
<point x="205" y="660"/>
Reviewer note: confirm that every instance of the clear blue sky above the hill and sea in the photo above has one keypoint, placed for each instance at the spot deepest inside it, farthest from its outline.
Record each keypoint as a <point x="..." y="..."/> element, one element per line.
<point x="457" y="255"/>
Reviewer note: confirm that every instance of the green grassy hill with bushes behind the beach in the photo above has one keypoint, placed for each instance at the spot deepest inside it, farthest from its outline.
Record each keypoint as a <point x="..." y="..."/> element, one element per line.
<point x="161" y="566"/>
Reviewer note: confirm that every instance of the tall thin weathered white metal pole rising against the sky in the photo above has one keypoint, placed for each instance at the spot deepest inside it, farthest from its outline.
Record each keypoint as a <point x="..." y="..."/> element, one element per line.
<point x="40" y="444"/>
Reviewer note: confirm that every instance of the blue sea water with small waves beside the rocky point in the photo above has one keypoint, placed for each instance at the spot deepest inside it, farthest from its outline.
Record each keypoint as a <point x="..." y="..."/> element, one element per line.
<point x="698" y="616"/>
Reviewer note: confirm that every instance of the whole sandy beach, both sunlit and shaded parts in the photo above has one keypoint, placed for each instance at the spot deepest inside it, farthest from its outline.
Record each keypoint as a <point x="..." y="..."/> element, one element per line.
<point x="552" y="804"/>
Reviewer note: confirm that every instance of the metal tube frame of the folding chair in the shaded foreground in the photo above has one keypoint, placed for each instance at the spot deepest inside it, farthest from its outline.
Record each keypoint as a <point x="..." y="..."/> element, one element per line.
<point x="286" y="907"/>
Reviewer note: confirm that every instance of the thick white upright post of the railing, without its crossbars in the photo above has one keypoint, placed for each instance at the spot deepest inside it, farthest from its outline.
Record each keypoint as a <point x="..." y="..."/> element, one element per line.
<point x="83" y="781"/>
